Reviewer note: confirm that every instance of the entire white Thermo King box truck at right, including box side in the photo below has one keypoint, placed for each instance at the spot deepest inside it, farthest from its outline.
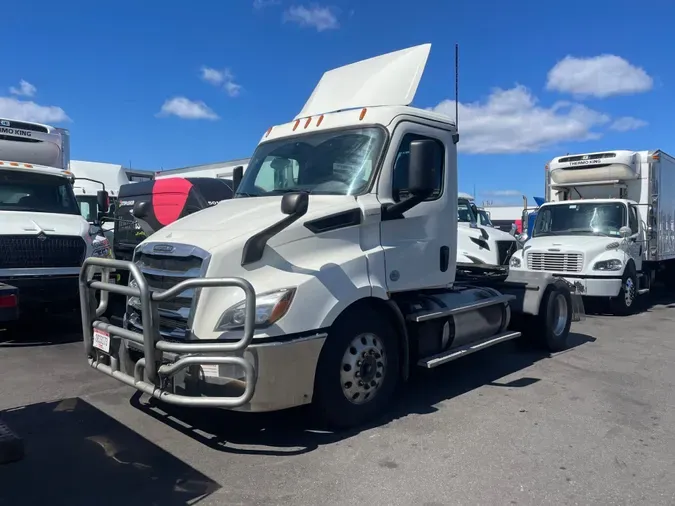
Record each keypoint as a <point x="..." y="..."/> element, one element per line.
<point x="607" y="226"/>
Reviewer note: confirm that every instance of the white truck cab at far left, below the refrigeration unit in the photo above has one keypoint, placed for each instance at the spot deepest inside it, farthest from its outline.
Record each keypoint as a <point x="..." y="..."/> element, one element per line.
<point x="43" y="237"/>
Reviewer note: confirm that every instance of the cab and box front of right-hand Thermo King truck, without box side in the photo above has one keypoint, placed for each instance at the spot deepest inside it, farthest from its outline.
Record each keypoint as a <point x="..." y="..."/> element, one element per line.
<point x="590" y="231"/>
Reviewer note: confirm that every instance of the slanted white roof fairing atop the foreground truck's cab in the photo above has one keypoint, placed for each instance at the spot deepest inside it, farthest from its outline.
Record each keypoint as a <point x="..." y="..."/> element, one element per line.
<point x="386" y="80"/>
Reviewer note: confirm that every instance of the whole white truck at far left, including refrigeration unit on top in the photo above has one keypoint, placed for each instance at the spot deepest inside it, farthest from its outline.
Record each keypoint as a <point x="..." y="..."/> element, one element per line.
<point x="43" y="237"/>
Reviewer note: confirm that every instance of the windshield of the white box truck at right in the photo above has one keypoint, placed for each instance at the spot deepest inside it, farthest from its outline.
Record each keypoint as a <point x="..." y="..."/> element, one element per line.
<point x="581" y="219"/>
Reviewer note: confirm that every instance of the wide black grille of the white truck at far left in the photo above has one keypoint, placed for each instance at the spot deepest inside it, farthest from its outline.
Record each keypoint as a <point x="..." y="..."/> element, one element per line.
<point x="30" y="252"/>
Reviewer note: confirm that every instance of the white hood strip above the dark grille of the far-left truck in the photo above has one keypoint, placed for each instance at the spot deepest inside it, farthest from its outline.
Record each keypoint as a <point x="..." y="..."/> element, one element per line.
<point x="26" y="223"/>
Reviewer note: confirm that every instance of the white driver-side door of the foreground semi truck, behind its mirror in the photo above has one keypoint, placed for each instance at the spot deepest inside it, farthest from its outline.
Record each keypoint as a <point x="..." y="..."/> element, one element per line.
<point x="419" y="249"/>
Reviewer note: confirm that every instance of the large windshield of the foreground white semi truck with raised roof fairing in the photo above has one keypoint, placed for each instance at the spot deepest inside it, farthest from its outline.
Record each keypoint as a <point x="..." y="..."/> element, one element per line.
<point x="340" y="162"/>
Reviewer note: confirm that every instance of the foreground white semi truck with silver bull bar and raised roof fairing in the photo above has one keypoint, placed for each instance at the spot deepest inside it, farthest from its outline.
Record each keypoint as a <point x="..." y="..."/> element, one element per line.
<point x="324" y="284"/>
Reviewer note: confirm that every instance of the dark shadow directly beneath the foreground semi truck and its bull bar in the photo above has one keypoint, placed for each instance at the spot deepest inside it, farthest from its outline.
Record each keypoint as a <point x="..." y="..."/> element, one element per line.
<point x="296" y="431"/>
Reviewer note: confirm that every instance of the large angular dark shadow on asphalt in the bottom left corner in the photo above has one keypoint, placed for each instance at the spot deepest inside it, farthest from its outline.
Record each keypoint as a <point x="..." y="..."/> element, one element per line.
<point x="77" y="455"/>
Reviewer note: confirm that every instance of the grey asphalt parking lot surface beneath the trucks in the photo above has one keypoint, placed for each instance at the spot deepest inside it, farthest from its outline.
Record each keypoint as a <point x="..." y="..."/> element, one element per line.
<point x="592" y="425"/>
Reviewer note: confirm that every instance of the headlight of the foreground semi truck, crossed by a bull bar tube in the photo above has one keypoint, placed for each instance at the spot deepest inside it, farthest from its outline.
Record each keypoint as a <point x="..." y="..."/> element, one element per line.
<point x="269" y="308"/>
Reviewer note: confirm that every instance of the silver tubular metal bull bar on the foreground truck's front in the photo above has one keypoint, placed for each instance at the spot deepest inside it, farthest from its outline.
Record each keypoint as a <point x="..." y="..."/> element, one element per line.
<point x="148" y="377"/>
